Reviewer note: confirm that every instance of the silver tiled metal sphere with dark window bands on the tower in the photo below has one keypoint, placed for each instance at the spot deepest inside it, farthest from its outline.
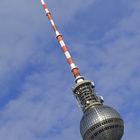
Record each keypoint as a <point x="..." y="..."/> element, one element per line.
<point x="101" y="123"/>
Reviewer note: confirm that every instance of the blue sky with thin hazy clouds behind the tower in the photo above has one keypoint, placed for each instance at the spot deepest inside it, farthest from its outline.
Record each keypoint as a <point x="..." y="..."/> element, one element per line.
<point x="36" y="101"/>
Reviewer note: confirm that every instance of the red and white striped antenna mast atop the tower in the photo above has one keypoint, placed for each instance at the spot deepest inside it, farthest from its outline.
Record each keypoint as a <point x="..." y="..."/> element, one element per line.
<point x="66" y="52"/>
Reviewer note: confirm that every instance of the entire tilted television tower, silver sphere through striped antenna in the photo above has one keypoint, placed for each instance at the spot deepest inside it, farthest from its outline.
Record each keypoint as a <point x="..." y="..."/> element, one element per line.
<point x="99" y="122"/>
